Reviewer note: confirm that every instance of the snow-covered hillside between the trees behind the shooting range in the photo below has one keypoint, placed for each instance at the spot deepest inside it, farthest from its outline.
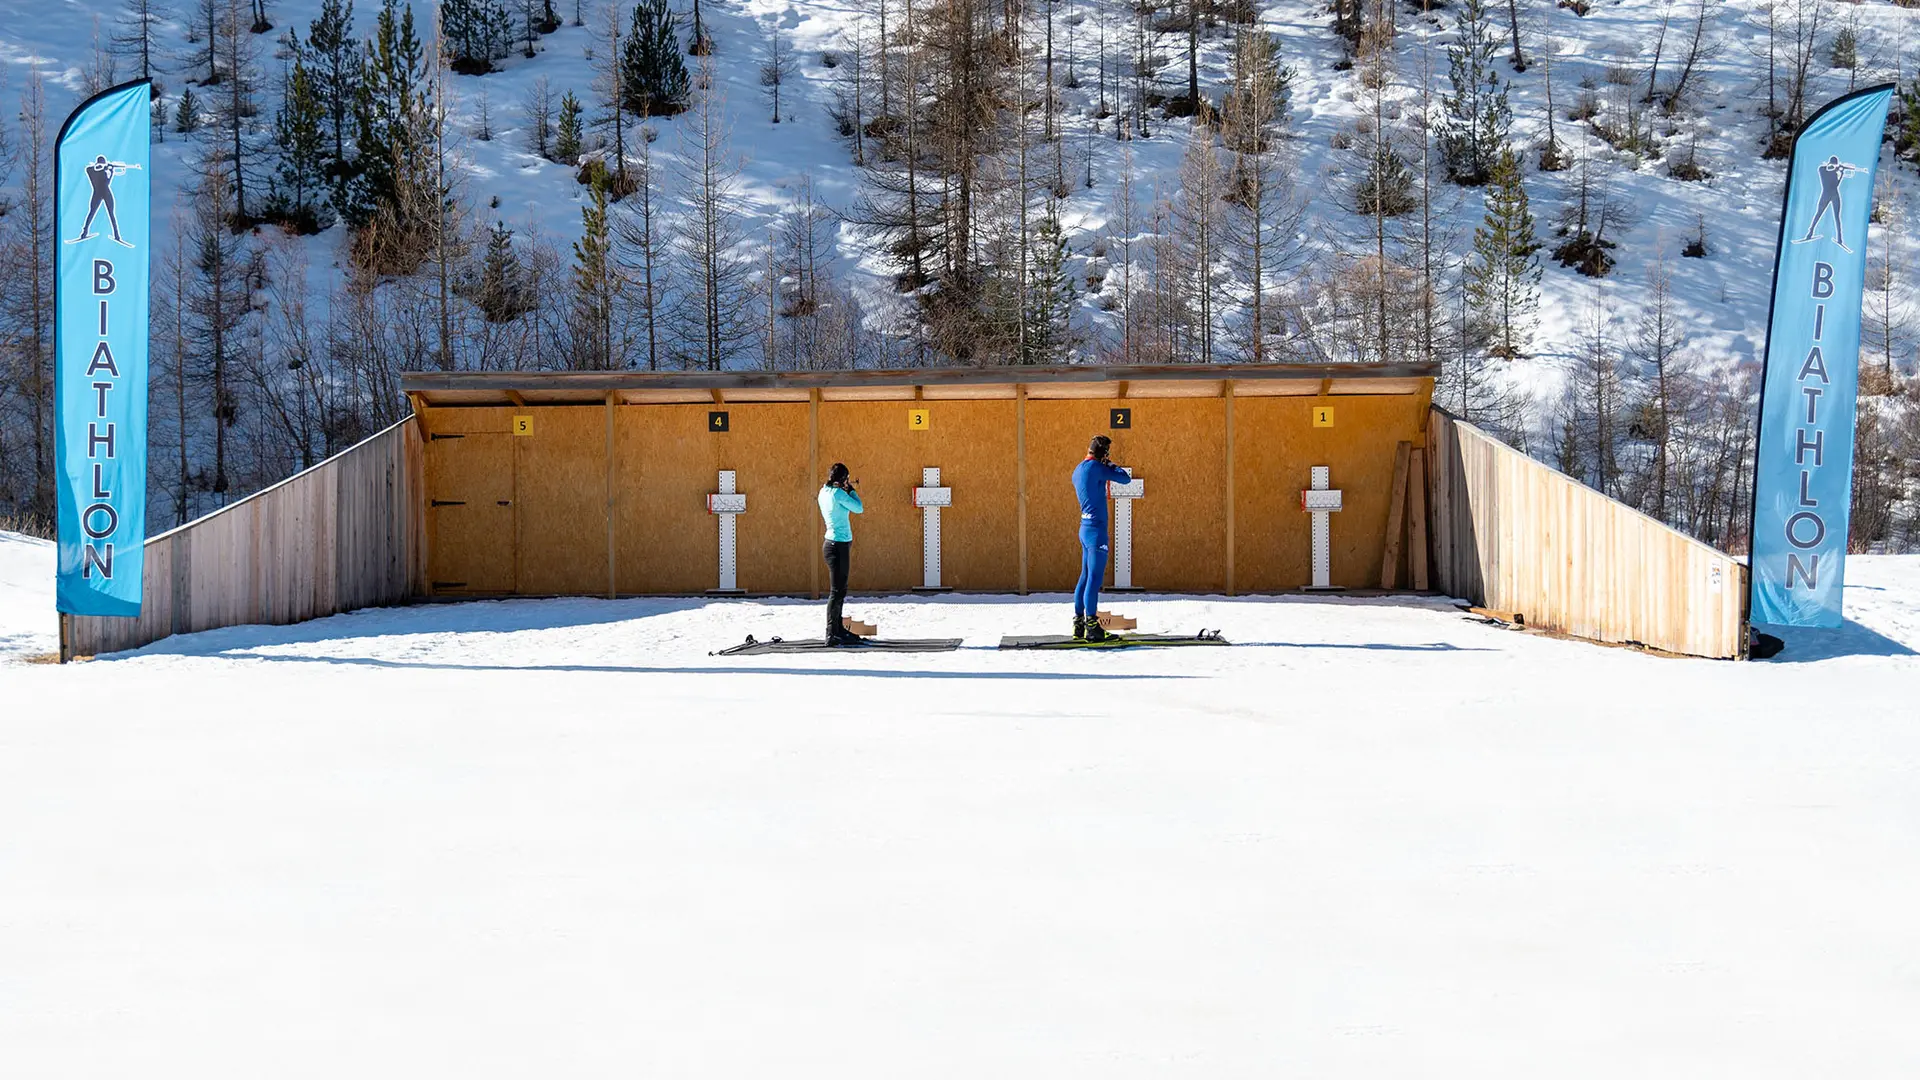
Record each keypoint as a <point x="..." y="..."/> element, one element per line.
<point x="1122" y="239"/>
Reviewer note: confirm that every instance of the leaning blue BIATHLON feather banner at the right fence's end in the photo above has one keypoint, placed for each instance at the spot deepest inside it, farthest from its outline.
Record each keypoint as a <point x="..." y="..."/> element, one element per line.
<point x="1804" y="462"/>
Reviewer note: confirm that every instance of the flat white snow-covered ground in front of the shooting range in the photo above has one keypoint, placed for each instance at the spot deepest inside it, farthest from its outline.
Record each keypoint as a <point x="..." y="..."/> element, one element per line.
<point x="560" y="839"/>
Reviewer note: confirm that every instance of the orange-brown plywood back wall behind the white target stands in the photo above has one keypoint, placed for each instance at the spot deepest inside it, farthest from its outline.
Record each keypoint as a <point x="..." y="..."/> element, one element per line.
<point x="665" y="462"/>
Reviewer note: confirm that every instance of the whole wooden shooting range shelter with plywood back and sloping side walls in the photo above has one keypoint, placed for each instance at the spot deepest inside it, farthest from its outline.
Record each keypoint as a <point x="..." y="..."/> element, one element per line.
<point x="690" y="483"/>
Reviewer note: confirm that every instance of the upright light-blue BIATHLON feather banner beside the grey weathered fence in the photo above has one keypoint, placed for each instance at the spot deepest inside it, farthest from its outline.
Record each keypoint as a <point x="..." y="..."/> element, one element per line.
<point x="101" y="295"/>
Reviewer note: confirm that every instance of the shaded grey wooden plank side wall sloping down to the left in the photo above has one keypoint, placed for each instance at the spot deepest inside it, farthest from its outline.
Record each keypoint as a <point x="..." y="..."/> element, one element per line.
<point x="347" y="533"/>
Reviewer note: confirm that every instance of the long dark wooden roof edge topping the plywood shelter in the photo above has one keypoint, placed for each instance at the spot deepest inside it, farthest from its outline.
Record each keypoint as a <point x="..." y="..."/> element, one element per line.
<point x="425" y="381"/>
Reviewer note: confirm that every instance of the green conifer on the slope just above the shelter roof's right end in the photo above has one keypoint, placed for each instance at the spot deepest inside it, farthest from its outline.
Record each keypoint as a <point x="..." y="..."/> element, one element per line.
<point x="1504" y="278"/>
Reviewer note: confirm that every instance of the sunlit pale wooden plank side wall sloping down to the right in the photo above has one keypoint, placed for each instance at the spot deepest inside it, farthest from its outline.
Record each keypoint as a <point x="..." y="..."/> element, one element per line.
<point x="1518" y="537"/>
